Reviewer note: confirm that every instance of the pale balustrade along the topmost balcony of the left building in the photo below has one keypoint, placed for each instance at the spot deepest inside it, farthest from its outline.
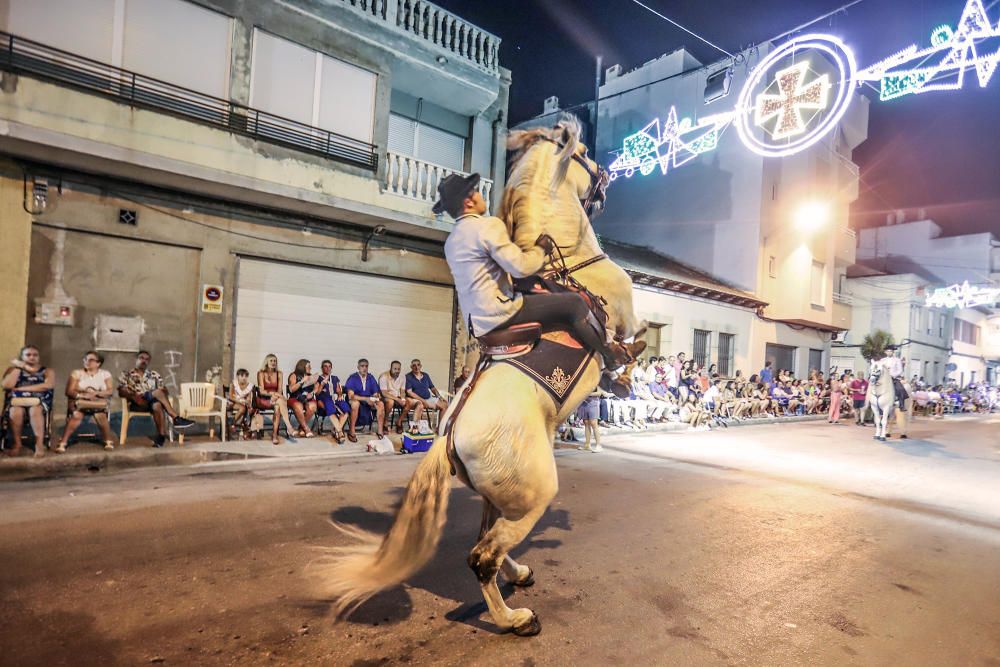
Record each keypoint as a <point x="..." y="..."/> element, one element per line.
<point x="438" y="26"/>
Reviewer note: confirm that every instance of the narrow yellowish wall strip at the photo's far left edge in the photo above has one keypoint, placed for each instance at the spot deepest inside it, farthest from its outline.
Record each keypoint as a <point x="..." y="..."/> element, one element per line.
<point x="15" y="229"/>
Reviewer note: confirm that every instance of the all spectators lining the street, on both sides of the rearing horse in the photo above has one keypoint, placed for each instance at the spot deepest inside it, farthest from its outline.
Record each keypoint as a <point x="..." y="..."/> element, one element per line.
<point x="664" y="389"/>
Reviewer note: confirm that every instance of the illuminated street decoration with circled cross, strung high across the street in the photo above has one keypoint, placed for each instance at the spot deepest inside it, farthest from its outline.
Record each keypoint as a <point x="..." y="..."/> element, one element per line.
<point x="798" y="93"/>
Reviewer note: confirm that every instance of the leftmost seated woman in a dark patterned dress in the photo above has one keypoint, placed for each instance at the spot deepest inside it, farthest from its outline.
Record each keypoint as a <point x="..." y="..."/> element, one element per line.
<point x="29" y="385"/>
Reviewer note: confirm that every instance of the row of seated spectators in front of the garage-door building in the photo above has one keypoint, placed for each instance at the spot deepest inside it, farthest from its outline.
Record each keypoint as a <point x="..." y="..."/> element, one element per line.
<point x="307" y="397"/>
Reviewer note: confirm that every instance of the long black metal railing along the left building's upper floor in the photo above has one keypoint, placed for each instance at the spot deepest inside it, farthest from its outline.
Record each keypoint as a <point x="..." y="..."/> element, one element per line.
<point x="24" y="56"/>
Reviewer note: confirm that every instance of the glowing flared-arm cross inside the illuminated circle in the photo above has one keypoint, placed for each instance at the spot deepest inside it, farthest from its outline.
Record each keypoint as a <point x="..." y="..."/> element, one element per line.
<point x="793" y="97"/>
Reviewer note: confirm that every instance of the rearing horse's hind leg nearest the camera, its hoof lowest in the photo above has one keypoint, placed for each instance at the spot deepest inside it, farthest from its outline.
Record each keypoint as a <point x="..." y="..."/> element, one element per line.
<point x="486" y="559"/>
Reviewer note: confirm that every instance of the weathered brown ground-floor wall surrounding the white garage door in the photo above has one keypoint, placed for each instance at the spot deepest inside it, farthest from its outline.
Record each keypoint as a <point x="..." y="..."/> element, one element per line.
<point x="155" y="270"/>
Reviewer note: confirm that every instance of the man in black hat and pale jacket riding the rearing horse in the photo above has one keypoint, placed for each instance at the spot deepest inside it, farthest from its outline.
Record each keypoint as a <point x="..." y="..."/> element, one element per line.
<point x="482" y="257"/>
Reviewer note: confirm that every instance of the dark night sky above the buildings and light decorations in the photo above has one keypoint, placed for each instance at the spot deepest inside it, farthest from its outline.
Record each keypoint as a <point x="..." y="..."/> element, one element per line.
<point x="939" y="151"/>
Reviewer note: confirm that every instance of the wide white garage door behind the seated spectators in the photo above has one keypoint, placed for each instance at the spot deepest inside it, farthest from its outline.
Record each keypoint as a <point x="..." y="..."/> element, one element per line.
<point x="298" y="312"/>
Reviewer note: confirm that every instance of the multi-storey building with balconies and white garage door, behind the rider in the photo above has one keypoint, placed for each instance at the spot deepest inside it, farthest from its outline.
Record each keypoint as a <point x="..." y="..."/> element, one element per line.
<point x="215" y="180"/>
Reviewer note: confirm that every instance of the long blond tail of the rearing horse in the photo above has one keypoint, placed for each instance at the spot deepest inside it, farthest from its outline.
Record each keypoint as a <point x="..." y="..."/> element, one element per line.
<point x="354" y="573"/>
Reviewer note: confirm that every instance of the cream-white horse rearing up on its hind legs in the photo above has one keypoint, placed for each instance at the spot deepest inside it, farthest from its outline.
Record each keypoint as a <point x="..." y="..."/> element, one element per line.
<point x="503" y="437"/>
